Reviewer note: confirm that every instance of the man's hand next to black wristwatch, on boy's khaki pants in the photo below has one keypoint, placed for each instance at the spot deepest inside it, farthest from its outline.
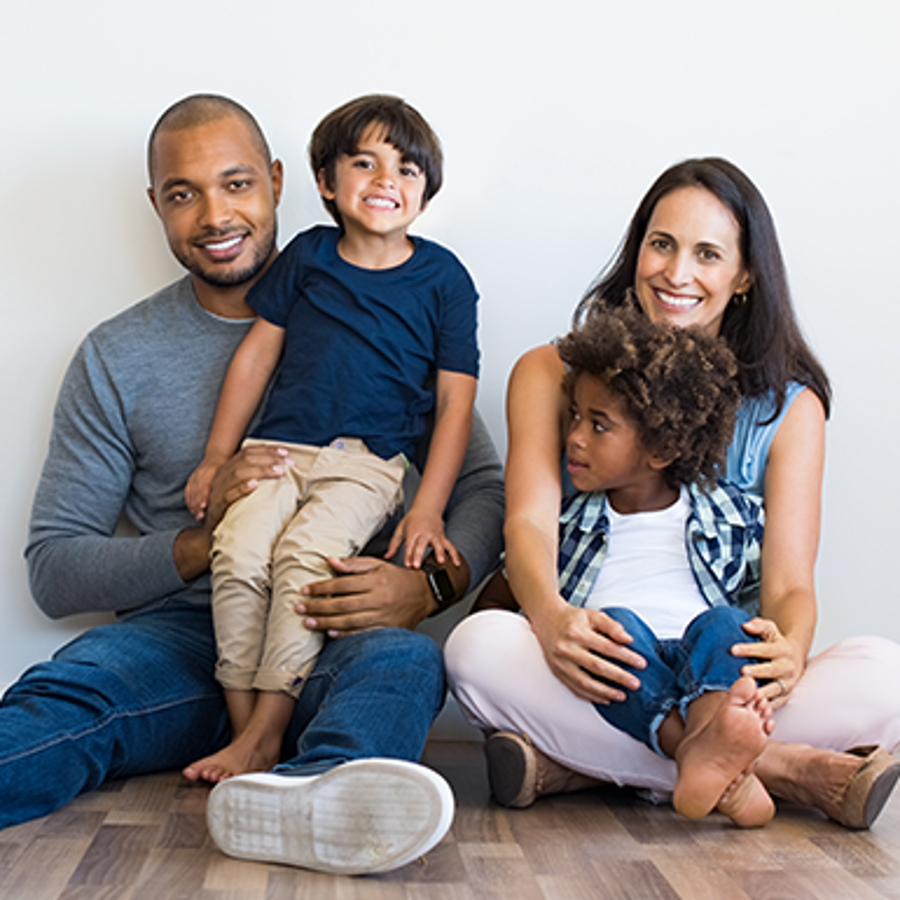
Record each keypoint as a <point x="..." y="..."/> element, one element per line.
<point x="371" y="593"/>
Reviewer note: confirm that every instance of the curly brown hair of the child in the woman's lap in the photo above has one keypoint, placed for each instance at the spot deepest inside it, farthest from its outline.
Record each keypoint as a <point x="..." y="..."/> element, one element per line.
<point x="678" y="385"/>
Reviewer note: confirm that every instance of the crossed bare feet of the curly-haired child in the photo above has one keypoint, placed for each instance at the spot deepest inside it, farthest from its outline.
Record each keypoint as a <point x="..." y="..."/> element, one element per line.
<point x="712" y="757"/>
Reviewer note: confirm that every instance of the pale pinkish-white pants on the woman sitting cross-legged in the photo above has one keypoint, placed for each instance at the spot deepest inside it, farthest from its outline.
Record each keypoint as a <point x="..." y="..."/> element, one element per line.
<point x="497" y="672"/>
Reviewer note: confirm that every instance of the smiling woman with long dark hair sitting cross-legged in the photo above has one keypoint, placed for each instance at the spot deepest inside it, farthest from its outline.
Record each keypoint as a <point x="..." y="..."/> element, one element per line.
<point x="701" y="250"/>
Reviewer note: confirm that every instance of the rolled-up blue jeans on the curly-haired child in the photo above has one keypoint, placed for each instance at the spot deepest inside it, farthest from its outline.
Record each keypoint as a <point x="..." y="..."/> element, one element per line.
<point x="678" y="671"/>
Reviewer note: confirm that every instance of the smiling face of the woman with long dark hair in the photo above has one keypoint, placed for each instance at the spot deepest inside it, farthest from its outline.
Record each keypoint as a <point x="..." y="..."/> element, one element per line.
<point x="689" y="264"/>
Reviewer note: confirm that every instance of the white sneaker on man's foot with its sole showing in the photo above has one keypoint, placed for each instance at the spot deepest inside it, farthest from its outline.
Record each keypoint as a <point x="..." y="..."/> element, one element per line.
<point x="369" y="815"/>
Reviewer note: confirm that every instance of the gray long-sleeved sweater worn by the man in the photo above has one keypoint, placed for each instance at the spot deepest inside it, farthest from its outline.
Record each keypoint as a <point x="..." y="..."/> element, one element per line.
<point x="129" y="427"/>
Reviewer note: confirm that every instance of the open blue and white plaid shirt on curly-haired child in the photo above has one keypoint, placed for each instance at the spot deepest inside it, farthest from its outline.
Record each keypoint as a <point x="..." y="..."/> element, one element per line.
<point x="723" y="537"/>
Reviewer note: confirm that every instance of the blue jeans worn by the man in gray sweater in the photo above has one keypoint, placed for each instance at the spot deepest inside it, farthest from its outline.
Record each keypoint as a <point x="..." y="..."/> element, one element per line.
<point x="140" y="696"/>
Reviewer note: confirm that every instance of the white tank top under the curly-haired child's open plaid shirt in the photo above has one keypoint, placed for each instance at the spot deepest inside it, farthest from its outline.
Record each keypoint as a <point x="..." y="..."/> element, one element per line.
<point x="647" y="568"/>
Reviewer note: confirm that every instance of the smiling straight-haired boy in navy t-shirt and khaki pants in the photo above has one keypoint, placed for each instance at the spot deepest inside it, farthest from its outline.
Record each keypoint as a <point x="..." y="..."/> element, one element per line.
<point x="373" y="330"/>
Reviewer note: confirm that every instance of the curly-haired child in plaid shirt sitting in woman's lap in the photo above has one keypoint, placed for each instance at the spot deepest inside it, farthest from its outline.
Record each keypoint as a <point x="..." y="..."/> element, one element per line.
<point x="652" y="414"/>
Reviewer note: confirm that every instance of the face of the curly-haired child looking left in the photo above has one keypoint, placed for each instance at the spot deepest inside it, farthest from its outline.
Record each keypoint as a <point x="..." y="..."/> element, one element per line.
<point x="603" y="448"/>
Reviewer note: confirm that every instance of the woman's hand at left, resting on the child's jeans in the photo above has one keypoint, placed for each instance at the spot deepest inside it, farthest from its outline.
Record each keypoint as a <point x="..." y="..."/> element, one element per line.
<point x="582" y="647"/>
